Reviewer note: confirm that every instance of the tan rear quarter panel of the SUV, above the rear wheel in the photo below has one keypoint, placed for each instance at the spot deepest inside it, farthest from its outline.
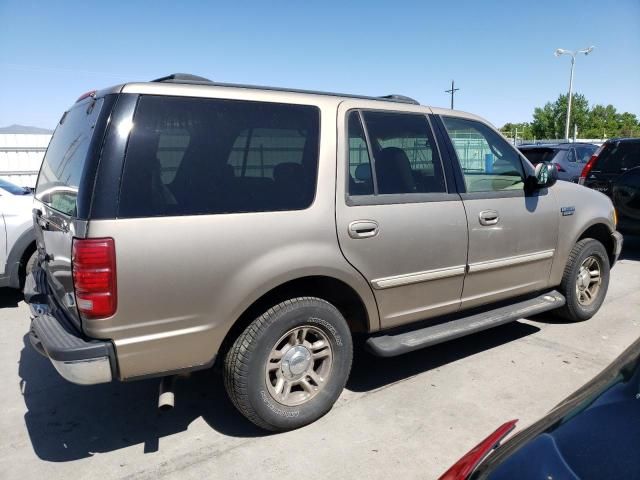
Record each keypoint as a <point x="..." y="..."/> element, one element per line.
<point x="184" y="281"/>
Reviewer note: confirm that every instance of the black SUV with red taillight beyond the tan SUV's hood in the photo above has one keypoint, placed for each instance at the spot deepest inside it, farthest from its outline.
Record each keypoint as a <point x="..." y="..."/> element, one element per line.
<point x="613" y="159"/>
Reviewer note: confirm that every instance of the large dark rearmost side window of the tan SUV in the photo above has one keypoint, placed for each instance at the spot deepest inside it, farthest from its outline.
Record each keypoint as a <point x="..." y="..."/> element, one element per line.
<point x="194" y="156"/>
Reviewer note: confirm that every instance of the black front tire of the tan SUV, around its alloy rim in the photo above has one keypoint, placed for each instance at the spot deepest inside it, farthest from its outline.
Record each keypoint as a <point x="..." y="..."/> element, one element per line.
<point x="574" y="310"/>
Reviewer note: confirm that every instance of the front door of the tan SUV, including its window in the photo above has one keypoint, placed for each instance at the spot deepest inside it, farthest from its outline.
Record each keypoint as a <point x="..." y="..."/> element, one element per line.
<point x="512" y="235"/>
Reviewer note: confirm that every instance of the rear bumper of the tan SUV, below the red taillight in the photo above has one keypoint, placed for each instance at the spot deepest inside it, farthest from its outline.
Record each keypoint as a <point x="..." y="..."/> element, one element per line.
<point x="78" y="359"/>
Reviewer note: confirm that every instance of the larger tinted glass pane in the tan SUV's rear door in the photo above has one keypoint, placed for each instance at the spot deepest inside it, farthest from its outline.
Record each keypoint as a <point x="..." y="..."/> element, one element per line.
<point x="405" y="160"/>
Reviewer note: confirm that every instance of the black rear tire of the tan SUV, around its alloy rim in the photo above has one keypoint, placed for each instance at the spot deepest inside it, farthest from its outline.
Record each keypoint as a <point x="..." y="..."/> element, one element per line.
<point x="244" y="370"/>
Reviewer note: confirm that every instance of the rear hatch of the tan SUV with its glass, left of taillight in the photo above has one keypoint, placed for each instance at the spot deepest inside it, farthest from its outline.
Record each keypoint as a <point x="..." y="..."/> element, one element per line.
<point x="63" y="193"/>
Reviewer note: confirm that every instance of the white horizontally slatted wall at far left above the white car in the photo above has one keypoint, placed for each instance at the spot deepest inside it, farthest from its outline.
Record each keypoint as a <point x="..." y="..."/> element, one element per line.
<point x="21" y="154"/>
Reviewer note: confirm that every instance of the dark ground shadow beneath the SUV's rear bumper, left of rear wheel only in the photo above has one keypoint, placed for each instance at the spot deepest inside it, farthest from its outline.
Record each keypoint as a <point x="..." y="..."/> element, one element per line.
<point x="68" y="422"/>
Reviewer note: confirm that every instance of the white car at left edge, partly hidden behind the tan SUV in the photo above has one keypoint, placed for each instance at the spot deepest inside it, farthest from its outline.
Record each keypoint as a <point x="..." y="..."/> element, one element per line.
<point x="18" y="252"/>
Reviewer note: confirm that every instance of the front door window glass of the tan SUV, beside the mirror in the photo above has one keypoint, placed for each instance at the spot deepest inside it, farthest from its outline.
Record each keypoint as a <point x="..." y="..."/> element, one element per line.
<point x="488" y="162"/>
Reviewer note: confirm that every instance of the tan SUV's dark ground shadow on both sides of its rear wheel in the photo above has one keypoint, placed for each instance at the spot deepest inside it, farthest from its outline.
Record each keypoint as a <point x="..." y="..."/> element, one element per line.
<point x="68" y="422"/>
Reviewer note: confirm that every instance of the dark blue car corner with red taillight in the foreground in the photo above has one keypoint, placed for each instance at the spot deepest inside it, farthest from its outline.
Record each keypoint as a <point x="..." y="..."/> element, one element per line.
<point x="593" y="434"/>
